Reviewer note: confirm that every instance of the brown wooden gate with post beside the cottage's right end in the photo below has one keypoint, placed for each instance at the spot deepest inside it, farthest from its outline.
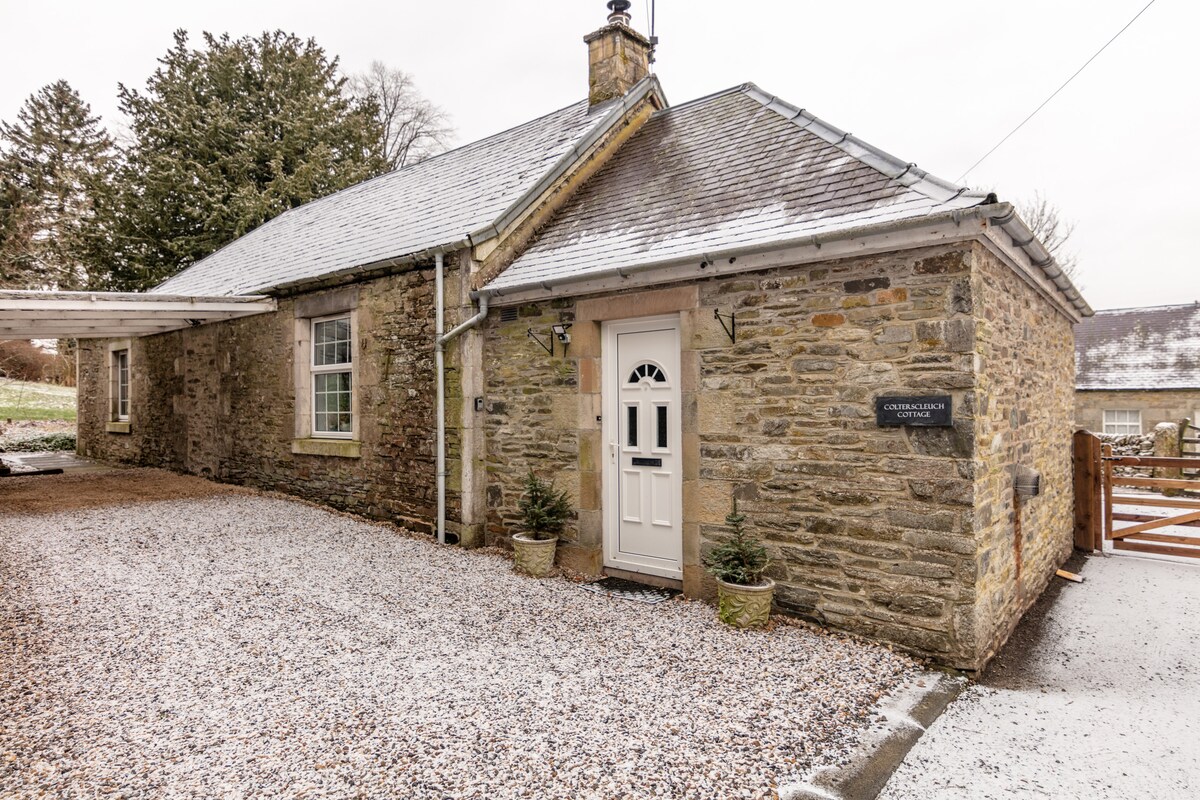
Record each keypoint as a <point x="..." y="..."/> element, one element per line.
<point x="1101" y="506"/>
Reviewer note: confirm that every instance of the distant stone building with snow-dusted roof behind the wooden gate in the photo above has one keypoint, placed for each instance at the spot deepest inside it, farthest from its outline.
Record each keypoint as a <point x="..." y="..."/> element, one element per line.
<point x="1138" y="368"/>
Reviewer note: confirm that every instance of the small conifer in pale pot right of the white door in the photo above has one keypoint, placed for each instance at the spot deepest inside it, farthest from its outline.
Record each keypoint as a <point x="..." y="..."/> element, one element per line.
<point x="743" y="593"/>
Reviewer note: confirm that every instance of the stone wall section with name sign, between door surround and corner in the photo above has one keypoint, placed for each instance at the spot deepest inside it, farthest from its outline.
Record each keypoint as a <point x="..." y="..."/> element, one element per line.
<point x="869" y="527"/>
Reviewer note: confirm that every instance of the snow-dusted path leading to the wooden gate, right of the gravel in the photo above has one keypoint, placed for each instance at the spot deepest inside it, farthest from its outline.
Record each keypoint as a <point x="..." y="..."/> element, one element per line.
<point x="1096" y="696"/>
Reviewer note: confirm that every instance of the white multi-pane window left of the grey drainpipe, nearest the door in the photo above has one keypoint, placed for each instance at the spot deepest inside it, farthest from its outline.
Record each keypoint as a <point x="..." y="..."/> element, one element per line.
<point x="333" y="378"/>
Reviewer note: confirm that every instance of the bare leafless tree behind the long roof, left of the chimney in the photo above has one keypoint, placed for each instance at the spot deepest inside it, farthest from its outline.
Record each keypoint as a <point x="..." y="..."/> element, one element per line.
<point x="413" y="128"/>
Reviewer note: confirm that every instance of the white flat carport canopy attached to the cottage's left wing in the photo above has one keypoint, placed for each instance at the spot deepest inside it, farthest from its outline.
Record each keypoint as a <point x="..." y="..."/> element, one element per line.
<point x="111" y="315"/>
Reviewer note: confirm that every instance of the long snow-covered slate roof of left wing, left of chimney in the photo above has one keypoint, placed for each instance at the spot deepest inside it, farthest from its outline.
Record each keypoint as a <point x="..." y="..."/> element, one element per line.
<point x="428" y="206"/>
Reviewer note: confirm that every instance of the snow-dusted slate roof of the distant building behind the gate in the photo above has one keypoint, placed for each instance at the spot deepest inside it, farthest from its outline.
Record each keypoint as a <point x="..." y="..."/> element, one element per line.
<point x="1157" y="347"/>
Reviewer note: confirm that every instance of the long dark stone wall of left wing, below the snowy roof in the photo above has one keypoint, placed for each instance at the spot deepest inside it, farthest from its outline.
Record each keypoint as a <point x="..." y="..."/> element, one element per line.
<point x="219" y="401"/>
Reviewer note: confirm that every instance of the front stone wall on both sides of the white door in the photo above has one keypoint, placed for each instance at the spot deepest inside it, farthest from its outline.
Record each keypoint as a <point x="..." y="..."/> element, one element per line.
<point x="871" y="528"/>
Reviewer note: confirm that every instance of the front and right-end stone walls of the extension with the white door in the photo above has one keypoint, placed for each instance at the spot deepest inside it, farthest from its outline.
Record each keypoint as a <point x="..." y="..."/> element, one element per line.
<point x="905" y="534"/>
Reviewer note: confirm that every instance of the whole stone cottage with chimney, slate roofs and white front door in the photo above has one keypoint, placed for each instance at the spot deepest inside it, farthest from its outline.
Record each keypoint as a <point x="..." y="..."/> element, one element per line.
<point x="665" y="309"/>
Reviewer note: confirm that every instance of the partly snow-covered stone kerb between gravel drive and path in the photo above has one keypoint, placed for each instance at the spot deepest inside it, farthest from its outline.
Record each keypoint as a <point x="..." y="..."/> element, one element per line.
<point x="909" y="711"/>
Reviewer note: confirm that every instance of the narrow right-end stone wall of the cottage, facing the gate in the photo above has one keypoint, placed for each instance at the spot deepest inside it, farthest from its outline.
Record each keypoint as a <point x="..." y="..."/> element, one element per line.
<point x="1025" y="388"/>
